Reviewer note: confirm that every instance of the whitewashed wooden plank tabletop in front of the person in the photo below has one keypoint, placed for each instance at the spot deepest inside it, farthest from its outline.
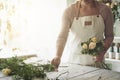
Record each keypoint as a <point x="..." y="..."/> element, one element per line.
<point x="78" y="72"/>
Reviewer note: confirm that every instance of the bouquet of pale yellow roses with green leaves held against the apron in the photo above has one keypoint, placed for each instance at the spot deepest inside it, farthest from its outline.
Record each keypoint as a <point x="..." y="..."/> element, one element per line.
<point x="92" y="46"/>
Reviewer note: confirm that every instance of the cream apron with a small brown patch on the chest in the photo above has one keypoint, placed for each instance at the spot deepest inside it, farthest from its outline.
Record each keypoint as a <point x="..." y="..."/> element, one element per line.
<point x="81" y="32"/>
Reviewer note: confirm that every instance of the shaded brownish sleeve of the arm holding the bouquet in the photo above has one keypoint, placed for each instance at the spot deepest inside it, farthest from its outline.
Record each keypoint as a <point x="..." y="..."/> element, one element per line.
<point x="108" y="33"/>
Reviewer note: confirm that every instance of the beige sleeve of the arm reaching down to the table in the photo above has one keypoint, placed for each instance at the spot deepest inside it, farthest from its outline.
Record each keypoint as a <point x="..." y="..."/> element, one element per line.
<point x="62" y="37"/>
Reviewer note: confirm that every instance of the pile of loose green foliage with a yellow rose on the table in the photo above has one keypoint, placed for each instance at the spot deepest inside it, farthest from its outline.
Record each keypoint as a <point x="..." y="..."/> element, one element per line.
<point x="18" y="69"/>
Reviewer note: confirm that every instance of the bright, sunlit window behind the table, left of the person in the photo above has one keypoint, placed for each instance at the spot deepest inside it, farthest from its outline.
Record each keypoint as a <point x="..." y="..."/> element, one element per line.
<point x="31" y="24"/>
